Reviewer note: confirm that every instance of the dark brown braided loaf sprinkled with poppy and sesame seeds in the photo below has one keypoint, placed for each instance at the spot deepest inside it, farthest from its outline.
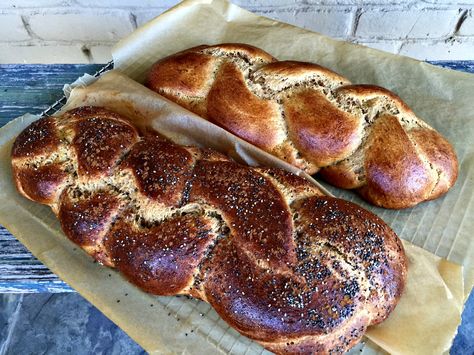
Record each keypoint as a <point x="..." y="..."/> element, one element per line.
<point x="284" y="265"/>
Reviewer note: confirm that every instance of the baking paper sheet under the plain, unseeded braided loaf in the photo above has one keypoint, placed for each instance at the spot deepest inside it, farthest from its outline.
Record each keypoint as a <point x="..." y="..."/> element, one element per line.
<point x="441" y="97"/>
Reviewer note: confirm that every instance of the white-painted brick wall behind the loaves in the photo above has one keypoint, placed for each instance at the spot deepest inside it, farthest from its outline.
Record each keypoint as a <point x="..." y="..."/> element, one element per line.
<point x="82" y="31"/>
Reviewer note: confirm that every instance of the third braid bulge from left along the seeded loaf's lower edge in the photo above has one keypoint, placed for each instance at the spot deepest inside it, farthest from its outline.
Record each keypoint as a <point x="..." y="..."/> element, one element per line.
<point x="160" y="259"/>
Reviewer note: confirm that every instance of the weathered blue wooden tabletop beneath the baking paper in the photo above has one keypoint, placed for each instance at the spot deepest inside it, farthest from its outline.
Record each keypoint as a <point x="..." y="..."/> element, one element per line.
<point x="32" y="88"/>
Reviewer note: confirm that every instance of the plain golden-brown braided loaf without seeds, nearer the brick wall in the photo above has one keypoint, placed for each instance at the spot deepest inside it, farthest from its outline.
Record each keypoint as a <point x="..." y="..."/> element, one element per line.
<point x="358" y="136"/>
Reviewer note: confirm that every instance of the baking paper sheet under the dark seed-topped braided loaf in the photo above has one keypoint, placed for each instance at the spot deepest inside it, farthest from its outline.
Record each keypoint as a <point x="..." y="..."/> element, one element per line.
<point x="179" y="324"/>
